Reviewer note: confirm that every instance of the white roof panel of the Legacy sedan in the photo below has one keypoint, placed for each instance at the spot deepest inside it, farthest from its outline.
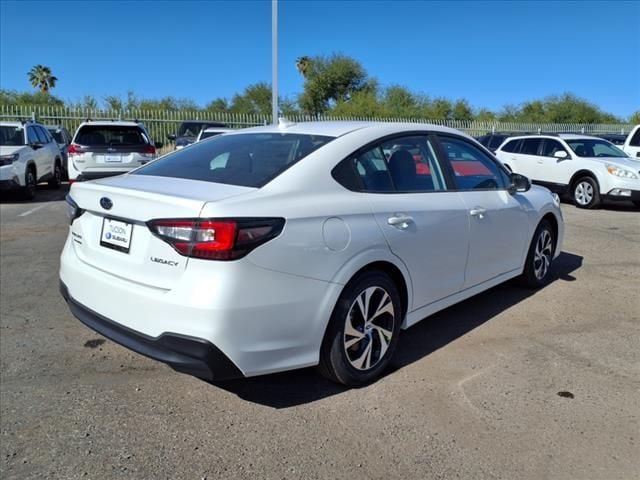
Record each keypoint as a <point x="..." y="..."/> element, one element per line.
<point x="338" y="129"/>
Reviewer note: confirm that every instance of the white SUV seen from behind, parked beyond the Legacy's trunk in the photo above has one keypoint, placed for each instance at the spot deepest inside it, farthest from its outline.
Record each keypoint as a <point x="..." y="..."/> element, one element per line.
<point x="106" y="148"/>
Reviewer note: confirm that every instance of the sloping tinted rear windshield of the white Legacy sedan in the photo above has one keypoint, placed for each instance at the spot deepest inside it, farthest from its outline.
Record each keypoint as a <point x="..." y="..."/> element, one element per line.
<point x="248" y="160"/>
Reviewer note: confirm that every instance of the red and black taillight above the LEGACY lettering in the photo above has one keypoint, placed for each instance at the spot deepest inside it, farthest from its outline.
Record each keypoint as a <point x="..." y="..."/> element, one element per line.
<point x="214" y="239"/>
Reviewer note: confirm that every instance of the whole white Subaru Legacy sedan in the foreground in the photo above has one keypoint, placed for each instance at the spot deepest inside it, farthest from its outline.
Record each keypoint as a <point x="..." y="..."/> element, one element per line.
<point x="282" y="247"/>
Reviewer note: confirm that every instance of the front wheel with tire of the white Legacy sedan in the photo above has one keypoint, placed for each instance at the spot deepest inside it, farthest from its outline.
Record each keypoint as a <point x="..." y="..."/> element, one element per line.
<point x="540" y="256"/>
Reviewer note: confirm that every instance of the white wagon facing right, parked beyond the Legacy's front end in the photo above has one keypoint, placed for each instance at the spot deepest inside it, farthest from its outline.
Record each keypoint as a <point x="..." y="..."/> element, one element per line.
<point x="587" y="168"/>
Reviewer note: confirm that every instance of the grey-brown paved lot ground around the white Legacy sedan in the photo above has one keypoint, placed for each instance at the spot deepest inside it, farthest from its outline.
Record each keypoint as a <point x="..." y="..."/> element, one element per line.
<point x="509" y="384"/>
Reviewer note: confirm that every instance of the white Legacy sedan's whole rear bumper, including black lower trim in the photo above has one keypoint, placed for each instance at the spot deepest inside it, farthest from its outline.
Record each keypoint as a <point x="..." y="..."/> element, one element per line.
<point x="262" y="321"/>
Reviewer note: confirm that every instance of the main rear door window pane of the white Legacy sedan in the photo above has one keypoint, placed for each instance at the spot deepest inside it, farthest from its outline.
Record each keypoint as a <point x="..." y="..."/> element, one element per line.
<point x="413" y="164"/>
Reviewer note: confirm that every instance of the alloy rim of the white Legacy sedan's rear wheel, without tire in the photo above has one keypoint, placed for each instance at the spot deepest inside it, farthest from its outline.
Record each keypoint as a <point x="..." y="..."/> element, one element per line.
<point x="369" y="328"/>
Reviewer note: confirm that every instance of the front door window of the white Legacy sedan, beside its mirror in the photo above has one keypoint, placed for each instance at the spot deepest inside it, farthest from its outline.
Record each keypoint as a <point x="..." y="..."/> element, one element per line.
<point x="472" y="168"/>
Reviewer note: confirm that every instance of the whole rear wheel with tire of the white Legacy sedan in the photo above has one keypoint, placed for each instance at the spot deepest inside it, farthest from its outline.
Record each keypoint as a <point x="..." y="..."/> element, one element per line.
<point x="363" y="330"/>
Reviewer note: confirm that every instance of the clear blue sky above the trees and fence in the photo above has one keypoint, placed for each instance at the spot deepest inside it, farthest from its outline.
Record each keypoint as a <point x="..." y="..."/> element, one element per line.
<point x="491" y="53"/>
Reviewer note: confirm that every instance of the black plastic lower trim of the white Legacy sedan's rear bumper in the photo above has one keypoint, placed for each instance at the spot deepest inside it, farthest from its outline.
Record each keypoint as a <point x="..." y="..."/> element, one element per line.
<point x="185" y="354"/>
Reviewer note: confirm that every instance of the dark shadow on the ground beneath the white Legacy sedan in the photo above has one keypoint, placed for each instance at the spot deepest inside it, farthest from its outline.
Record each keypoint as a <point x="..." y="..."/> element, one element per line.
<point x="288" y="389"/>
